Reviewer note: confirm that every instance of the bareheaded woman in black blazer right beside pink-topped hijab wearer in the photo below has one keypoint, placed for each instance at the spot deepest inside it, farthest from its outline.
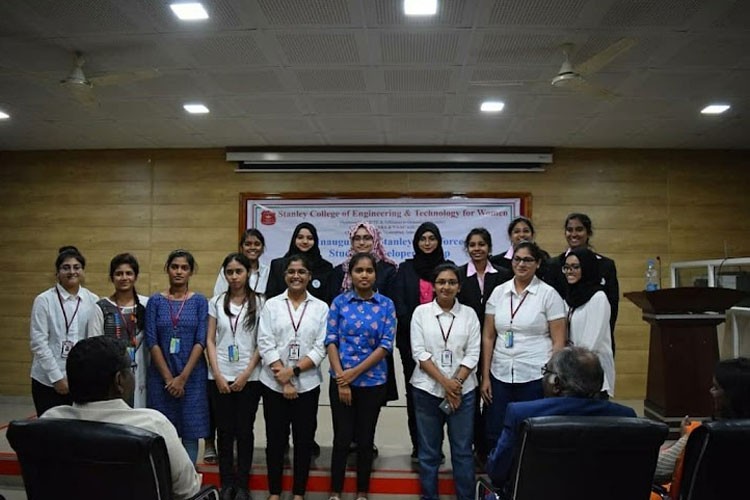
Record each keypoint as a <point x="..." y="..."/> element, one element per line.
<point x="478" y="278"/>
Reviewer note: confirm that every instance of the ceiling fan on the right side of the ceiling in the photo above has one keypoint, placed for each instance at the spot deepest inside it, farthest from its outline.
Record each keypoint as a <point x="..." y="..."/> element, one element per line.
<point x="575" y="77"/>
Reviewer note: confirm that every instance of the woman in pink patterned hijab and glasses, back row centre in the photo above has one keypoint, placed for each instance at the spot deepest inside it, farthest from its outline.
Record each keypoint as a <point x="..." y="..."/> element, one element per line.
<point x="366" y="238"/>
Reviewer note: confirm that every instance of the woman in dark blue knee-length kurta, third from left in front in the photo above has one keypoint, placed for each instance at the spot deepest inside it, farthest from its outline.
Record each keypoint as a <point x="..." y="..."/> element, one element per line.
<point x="176" y="322"/>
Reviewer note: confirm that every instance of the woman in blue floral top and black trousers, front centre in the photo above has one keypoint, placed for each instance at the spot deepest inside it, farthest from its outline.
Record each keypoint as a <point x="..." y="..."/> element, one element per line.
<point x="361" y="327"/>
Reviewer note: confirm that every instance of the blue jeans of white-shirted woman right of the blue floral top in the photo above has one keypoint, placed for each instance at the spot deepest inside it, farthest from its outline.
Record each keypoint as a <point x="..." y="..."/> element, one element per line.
<point x="430" y="423"/>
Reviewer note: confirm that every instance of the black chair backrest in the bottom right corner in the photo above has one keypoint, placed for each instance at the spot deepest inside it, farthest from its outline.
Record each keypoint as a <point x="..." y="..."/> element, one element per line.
<point x="714" y="466"/>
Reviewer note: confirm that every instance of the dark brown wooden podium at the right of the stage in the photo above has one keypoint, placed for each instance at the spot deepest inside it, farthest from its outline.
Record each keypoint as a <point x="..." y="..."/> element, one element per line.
<point x="683" y="349"/>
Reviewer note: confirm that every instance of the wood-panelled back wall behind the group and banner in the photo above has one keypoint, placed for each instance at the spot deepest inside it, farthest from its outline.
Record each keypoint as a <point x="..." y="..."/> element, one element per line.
<point x="680" y="205"/>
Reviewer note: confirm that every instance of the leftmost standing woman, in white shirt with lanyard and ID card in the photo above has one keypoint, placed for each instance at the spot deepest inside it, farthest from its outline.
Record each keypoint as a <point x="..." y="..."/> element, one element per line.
<point x="58" y="320"/>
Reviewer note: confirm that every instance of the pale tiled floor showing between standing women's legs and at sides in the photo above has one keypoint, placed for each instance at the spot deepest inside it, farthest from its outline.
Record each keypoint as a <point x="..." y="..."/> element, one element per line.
<point x="392" y="439"/>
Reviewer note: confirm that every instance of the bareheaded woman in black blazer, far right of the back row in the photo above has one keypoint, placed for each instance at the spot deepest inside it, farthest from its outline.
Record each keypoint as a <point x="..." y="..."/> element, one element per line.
<point x="578" y="233"/>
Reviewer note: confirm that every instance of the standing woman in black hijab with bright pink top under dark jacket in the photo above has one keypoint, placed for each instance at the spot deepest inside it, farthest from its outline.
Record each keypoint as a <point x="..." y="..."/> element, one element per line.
<point x="411" y="288"/>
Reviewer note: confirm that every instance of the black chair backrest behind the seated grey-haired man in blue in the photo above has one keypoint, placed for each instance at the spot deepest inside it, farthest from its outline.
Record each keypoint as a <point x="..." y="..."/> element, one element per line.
<point x="586" y="458"/>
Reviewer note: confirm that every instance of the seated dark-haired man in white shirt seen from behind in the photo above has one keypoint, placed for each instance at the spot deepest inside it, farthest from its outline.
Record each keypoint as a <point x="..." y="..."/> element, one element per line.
<point x="100" y="379"/>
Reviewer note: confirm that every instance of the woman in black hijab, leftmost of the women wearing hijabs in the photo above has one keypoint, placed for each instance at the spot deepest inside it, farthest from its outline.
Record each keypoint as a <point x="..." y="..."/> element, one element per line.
<point x="305" y="242"/>
